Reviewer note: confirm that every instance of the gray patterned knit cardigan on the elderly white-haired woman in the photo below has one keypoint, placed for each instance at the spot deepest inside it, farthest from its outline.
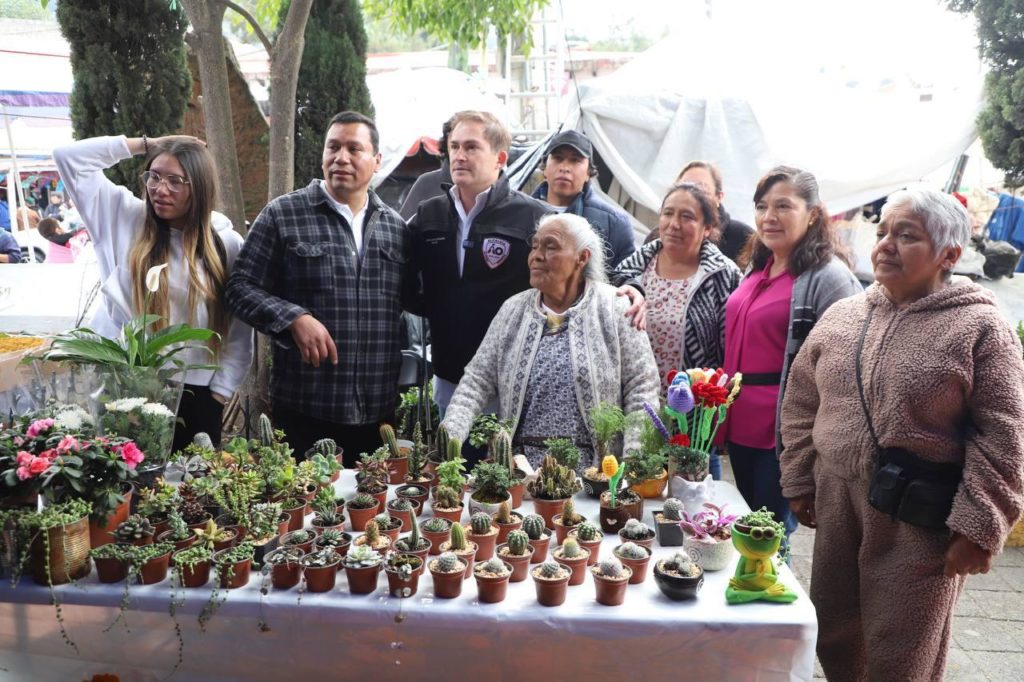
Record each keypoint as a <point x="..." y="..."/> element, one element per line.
<point x="612" y="362"/>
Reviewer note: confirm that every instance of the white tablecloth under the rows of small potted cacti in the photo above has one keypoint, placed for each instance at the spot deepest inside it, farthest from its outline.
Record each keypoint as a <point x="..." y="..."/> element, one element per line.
<point x="342" y="636"/>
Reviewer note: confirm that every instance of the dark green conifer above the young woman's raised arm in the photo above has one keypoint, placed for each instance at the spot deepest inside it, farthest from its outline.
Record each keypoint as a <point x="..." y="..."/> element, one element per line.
<point x="132" y="76"/>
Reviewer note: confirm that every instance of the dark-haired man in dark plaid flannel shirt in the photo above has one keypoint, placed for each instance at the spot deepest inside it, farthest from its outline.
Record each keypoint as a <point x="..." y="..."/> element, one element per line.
<point x="322" y="274"/>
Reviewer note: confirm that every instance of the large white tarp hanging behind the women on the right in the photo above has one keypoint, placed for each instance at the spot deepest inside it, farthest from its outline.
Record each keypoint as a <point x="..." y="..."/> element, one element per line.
<point x="868" y="98"/>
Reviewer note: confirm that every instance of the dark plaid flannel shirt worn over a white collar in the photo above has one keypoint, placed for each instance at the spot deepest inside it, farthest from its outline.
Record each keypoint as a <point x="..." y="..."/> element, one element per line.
<point x="301" y="258"/>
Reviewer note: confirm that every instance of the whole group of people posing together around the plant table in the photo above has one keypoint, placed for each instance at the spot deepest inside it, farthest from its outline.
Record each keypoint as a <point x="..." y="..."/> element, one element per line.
<point x="542" y="307"/>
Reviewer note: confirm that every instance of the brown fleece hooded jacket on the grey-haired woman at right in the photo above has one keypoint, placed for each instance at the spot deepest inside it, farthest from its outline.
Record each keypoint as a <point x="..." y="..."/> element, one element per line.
<point x="944" y="378"/>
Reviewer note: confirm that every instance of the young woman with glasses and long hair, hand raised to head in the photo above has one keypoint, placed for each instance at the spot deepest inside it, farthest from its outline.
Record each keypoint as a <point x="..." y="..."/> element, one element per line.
<point x="173" y="224"/>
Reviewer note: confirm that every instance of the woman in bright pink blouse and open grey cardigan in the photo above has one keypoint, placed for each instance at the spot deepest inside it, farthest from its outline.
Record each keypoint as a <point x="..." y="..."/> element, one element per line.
<point x="796" y="271"/>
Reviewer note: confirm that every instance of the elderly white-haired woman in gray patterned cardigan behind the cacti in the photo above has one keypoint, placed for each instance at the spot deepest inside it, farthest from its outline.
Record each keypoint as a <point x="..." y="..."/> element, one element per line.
<point x="560" y="349"/>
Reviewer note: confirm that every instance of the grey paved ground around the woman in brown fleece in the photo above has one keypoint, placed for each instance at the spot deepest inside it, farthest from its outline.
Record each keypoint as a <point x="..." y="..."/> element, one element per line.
<point x="989" y="628"/>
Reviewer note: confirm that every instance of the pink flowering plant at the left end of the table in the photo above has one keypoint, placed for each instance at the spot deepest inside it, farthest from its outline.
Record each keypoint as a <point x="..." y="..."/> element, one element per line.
<point x="41" y="455"/>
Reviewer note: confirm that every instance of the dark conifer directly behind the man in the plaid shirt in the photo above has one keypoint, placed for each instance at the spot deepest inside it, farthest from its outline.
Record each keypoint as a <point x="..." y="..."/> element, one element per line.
<point x="332" y="79"/>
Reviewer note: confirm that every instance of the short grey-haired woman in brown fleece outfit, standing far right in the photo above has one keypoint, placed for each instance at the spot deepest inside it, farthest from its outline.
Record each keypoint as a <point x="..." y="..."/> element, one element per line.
<point x="943" y="378"/>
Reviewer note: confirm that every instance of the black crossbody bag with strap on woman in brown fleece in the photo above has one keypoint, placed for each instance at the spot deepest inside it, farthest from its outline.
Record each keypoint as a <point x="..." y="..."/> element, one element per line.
<point x="905" y="486"/>
